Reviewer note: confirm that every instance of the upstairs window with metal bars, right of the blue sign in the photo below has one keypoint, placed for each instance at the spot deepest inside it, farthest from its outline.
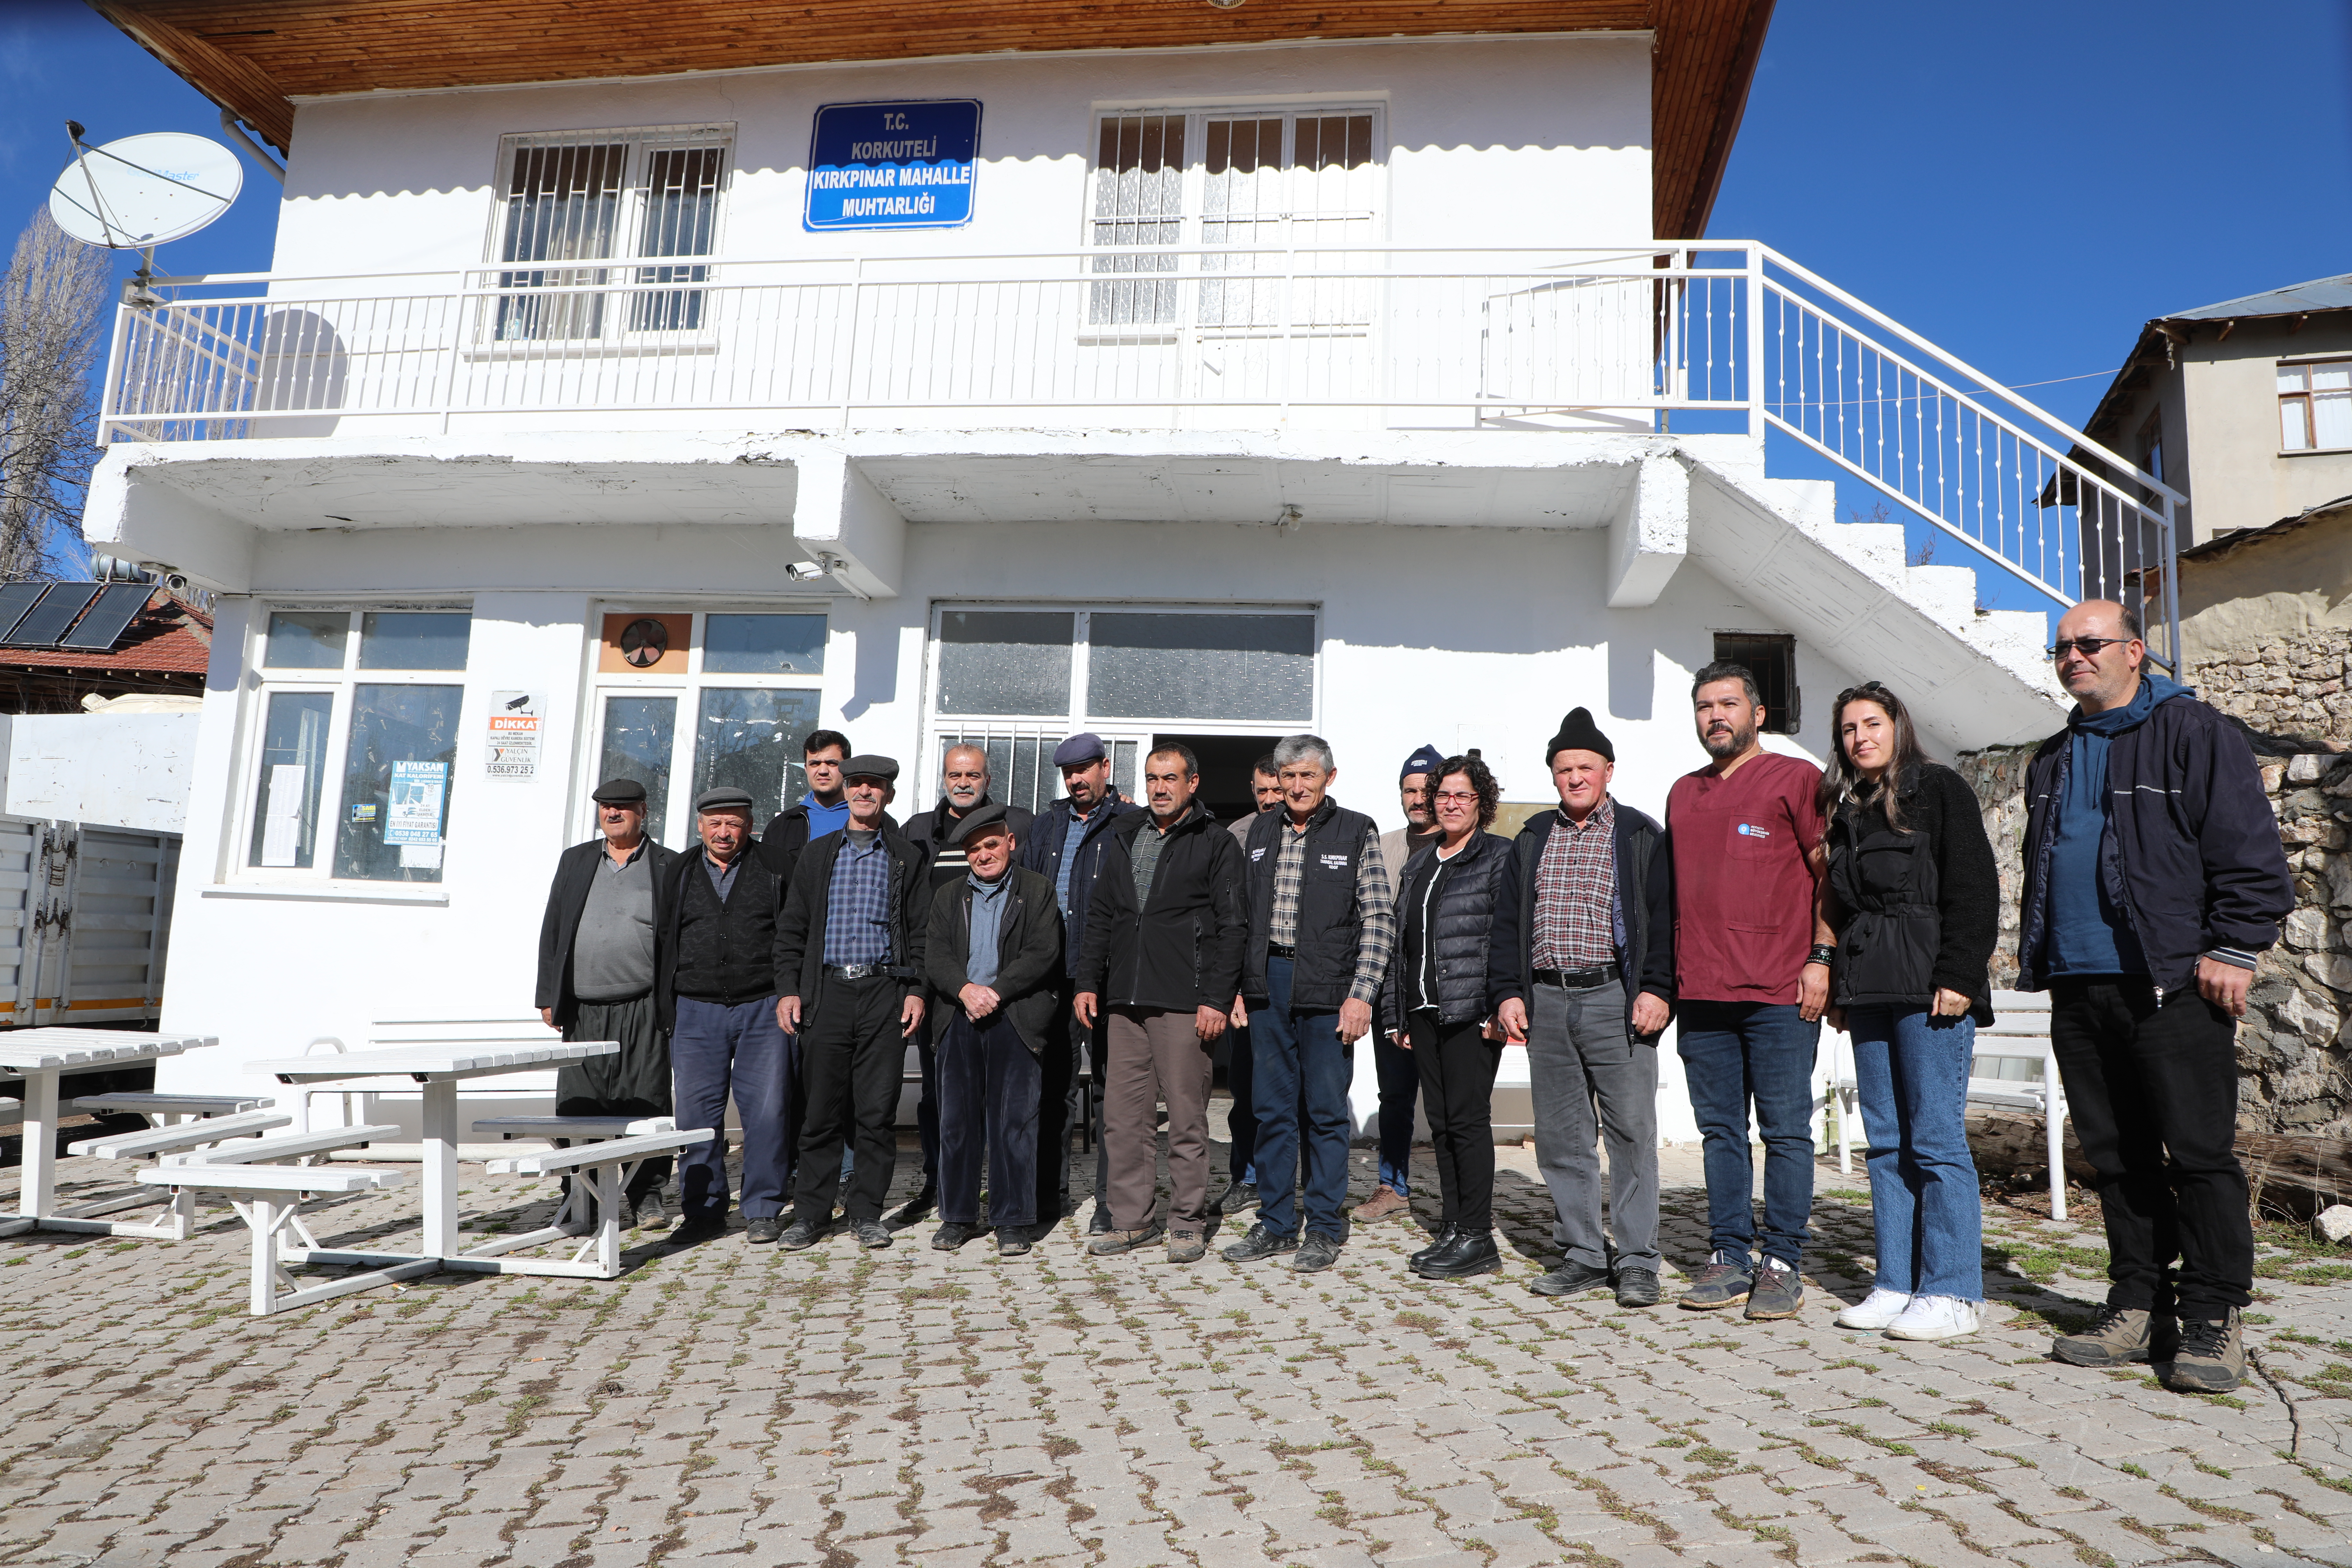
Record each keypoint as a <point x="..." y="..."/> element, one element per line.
<point x="1196" y="177"/>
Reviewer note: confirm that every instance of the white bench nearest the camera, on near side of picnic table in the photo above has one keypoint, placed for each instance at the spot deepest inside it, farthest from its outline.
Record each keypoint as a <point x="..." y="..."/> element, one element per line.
<point x="269" y="1198"/>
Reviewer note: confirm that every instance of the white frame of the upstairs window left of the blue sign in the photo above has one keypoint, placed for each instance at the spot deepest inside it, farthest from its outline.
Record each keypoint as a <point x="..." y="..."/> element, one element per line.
<point x="615" y="311"/>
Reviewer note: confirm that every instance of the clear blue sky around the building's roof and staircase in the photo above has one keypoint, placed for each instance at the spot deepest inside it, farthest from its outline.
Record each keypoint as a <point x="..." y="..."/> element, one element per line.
<point x="2019" y="182"/>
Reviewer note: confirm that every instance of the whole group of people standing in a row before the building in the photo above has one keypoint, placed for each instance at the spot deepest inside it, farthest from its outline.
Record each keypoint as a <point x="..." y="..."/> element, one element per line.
<point x="791" y="970"/>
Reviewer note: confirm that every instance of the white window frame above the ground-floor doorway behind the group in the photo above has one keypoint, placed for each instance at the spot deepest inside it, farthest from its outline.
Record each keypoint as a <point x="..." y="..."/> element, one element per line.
<point x="942" y="730"/>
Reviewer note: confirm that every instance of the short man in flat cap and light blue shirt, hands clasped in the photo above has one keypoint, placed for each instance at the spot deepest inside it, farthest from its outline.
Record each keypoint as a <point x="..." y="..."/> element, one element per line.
<point x="996" y="956"/>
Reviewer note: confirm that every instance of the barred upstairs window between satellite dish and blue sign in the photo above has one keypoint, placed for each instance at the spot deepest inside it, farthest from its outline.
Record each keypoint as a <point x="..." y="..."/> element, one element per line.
<point x="606" y="196"/>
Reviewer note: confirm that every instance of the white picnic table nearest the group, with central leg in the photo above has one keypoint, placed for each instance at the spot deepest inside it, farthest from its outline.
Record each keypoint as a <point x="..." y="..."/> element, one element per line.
<point x="439" y="1066"/>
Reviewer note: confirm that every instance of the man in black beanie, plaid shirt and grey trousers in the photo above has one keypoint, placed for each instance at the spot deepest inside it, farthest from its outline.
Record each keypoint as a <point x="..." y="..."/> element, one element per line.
<point x="1582" y="972"/>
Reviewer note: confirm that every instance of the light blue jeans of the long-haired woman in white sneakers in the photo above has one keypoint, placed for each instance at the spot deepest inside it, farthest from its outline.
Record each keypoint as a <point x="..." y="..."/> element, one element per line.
<point x="1913" y="1080"/>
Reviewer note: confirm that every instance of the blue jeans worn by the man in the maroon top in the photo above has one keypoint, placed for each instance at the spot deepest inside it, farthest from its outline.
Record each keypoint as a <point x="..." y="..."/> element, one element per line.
<point x="1732" y="1054"/>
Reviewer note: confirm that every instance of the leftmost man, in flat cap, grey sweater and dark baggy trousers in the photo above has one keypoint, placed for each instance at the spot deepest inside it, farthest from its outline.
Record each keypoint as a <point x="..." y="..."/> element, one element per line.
<point x="599" y="958"/>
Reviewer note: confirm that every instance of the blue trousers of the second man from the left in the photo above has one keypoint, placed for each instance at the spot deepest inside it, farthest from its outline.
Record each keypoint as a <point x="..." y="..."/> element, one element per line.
<point x="719" y="1050"/>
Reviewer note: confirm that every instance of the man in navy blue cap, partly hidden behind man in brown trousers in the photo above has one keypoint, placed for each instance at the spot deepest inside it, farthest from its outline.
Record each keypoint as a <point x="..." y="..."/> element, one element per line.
<point x="1067" y="847"/>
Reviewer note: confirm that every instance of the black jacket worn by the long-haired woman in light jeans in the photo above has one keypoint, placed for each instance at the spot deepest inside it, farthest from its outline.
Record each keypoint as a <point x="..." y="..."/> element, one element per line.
<point x="1918" y="909"/>
